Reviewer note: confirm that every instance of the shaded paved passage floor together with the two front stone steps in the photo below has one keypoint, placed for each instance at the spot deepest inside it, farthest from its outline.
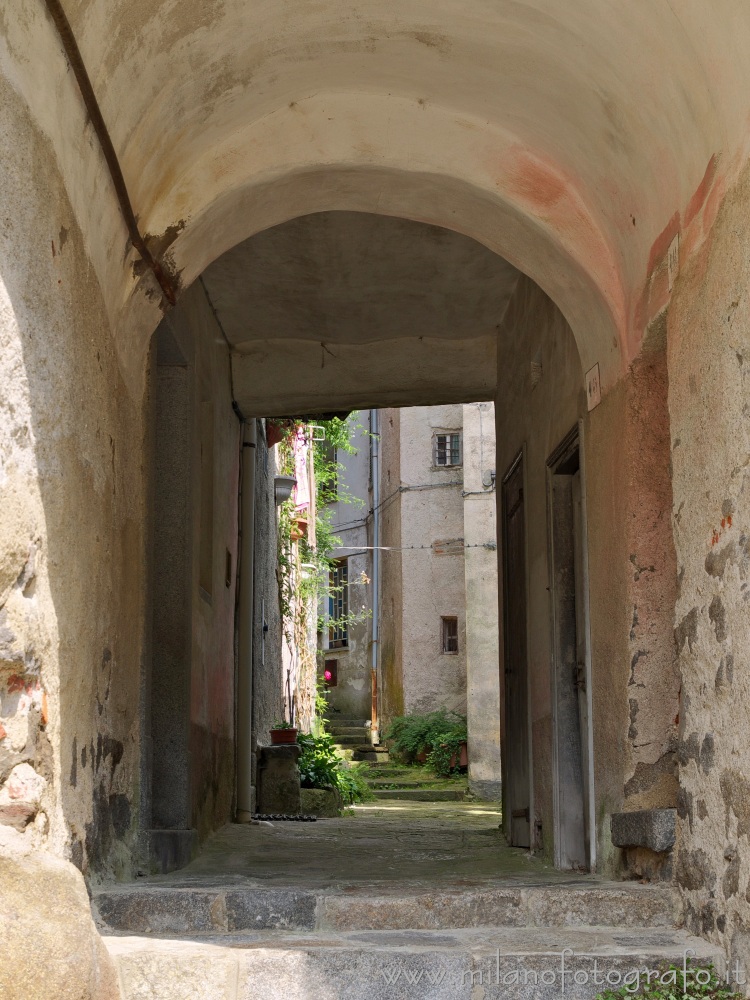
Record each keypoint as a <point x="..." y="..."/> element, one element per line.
<point x="395" y="896"/>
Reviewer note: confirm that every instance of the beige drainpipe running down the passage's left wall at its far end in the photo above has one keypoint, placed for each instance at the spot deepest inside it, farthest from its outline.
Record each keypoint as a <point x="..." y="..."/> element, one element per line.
<point x="245" y="804"/>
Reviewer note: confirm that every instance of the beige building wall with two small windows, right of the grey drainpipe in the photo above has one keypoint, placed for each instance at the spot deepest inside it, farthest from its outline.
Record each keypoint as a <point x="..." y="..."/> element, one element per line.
<point x="422" y="567"/>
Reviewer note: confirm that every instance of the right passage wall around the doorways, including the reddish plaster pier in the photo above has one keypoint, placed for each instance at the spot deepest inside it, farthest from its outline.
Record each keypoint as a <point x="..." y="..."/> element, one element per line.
<point x="630" y="551"/>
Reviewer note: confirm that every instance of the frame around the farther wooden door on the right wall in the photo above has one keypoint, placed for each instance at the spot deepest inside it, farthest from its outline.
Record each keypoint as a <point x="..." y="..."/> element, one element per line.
<point x="520" y="458"/>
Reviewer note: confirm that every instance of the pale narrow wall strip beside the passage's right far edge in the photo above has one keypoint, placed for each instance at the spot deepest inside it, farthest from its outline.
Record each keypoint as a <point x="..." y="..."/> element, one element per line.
<point x="480" y="575"/>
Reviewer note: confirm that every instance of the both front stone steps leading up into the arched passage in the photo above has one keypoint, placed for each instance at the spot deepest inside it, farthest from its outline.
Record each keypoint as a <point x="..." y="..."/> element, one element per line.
<point x="512" y="941"/>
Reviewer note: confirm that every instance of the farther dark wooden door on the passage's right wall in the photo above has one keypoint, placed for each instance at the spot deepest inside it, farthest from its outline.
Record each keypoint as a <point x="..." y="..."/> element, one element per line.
<point x="517" y="799"/>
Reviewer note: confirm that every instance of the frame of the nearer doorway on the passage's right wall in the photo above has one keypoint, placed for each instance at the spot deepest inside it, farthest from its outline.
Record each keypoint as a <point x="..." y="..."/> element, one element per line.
<point x="572" y="442"/>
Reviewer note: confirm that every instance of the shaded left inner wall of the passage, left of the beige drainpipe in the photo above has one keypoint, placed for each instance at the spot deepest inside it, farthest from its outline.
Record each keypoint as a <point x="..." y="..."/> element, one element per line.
<point x="194" y="566"/>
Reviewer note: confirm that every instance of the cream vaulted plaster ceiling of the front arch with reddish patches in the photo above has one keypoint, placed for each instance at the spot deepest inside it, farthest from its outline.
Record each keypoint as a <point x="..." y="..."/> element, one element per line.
<point x="412" y="116"/>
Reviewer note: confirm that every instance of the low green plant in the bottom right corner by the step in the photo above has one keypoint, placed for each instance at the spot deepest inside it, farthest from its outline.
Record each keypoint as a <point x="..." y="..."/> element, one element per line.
<point x="691" y="981"/>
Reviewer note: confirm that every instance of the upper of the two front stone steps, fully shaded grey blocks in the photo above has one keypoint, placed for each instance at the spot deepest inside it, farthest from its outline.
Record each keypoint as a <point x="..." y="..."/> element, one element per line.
<point x="164" y="910"/>
